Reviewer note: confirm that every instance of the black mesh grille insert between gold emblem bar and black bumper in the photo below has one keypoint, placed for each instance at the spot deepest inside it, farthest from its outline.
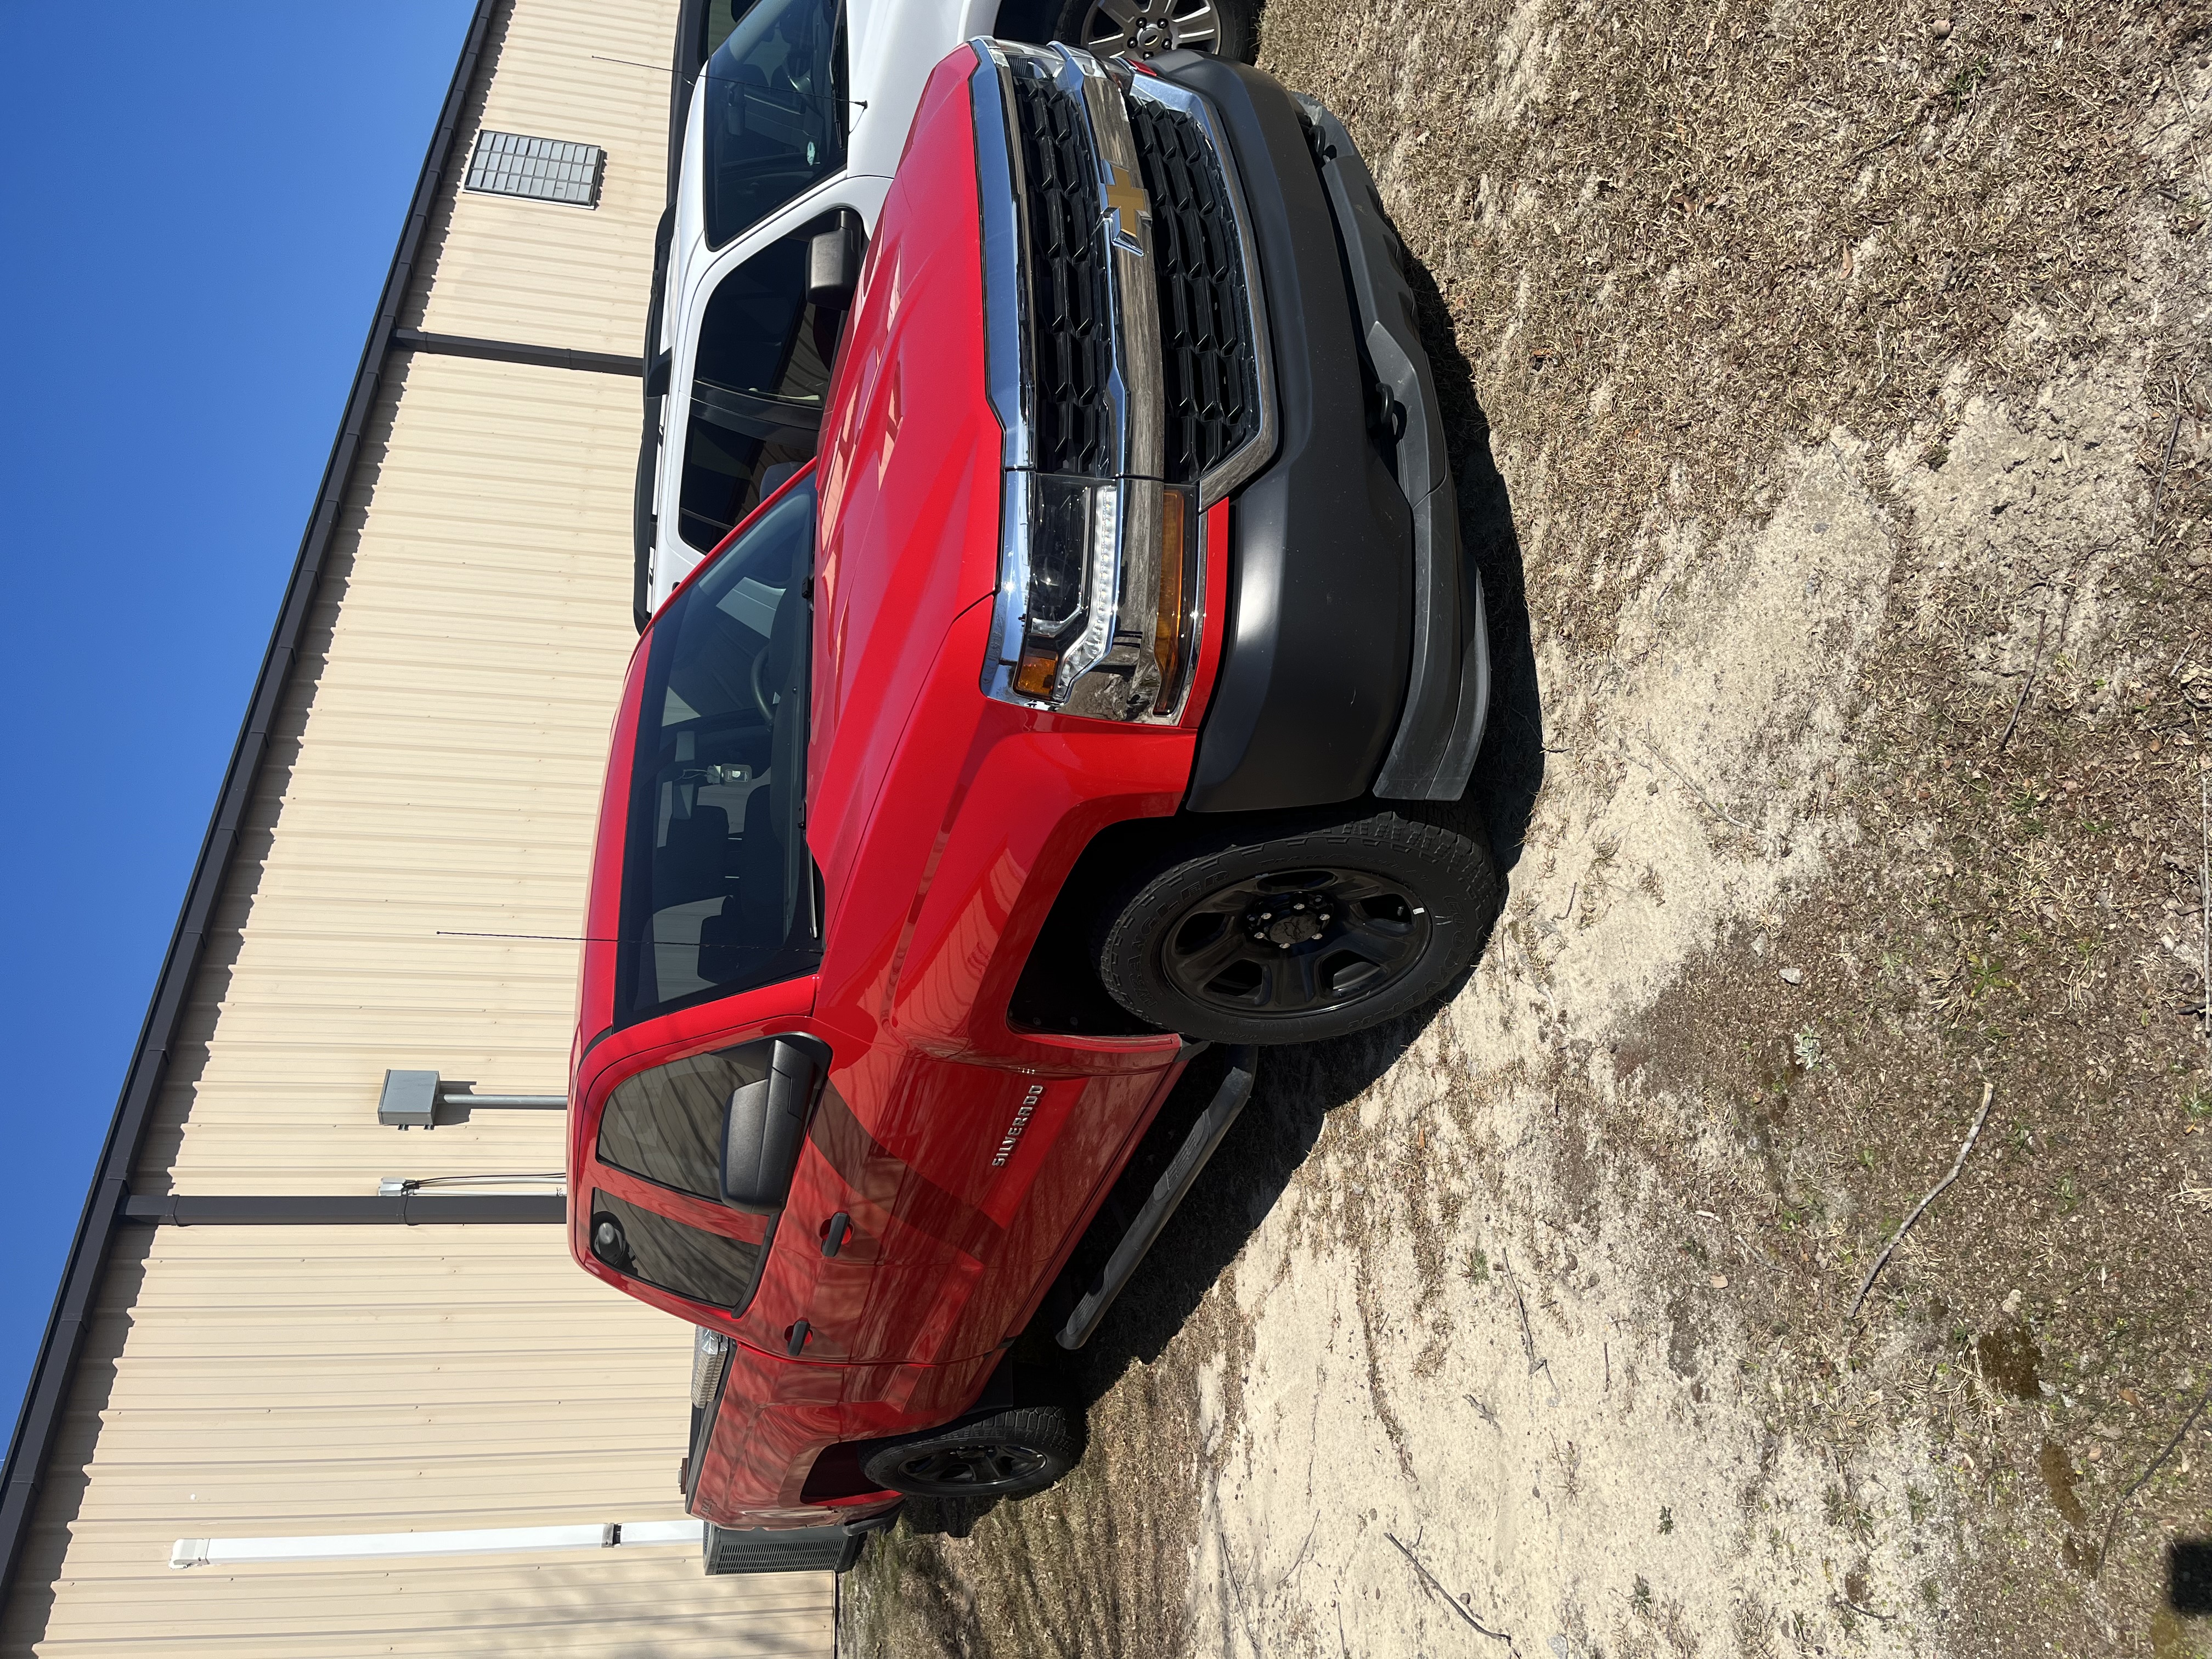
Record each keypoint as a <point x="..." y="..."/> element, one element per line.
<point x="1207" y="335"/>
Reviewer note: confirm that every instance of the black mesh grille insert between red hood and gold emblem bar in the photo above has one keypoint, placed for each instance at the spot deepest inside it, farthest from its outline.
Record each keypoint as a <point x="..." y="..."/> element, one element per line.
<point x="1070" y="315"/>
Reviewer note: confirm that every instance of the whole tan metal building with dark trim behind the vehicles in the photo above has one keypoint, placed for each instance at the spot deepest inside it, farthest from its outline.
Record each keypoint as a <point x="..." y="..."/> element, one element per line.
<point x="417" y="775"/>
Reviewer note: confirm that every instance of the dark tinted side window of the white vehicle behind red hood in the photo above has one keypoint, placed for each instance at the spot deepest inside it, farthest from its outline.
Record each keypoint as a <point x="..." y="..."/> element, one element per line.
<point x="758" y="390"/>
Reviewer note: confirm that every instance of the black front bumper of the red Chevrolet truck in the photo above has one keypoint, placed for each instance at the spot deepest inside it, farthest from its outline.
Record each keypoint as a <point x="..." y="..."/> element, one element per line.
<point x="1355" y="656"/>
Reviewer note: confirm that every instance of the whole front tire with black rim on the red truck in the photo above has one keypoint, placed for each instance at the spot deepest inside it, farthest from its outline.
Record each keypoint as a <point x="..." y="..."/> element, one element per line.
<point x="1297" y="932"/>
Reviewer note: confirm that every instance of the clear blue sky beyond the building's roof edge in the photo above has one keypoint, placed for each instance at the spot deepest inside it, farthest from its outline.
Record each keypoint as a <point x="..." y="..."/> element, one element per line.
<point x="196" y="220"/>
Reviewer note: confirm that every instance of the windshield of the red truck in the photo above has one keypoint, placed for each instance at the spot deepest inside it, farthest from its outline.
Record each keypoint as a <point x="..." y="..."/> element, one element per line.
<point x="718" y="888"/>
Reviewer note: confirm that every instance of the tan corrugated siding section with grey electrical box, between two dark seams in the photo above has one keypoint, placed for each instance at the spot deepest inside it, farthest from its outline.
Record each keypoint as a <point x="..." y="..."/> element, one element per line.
<point x="439" y="778"/>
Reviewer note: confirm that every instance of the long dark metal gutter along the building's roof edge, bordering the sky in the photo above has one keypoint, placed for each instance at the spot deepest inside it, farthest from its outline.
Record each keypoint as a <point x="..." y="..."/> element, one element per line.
<point x="48" y="1395"/>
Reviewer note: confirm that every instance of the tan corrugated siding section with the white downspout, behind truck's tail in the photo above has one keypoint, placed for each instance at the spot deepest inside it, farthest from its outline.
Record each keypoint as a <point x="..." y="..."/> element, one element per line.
<point x="253" y="1381"/>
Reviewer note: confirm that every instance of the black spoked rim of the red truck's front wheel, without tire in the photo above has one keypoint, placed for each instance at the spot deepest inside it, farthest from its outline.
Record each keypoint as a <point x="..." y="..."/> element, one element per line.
<point x="1297" y="941"/>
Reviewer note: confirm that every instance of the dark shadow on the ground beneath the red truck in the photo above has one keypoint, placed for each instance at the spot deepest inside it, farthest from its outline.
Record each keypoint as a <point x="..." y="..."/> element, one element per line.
<point x="1297" y="1089"/>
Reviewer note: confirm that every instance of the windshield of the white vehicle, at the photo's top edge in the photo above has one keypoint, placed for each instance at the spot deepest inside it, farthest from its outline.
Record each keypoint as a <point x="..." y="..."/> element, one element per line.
<point x="775" y="112"/>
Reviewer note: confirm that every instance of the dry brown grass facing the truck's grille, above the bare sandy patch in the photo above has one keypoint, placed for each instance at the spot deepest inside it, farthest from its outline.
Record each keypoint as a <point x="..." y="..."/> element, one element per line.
<point x="1673" y="240"/>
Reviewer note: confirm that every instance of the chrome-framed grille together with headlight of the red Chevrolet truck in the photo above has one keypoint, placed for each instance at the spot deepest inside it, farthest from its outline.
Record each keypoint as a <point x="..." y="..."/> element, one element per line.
<point x="1098" y="609"/>
